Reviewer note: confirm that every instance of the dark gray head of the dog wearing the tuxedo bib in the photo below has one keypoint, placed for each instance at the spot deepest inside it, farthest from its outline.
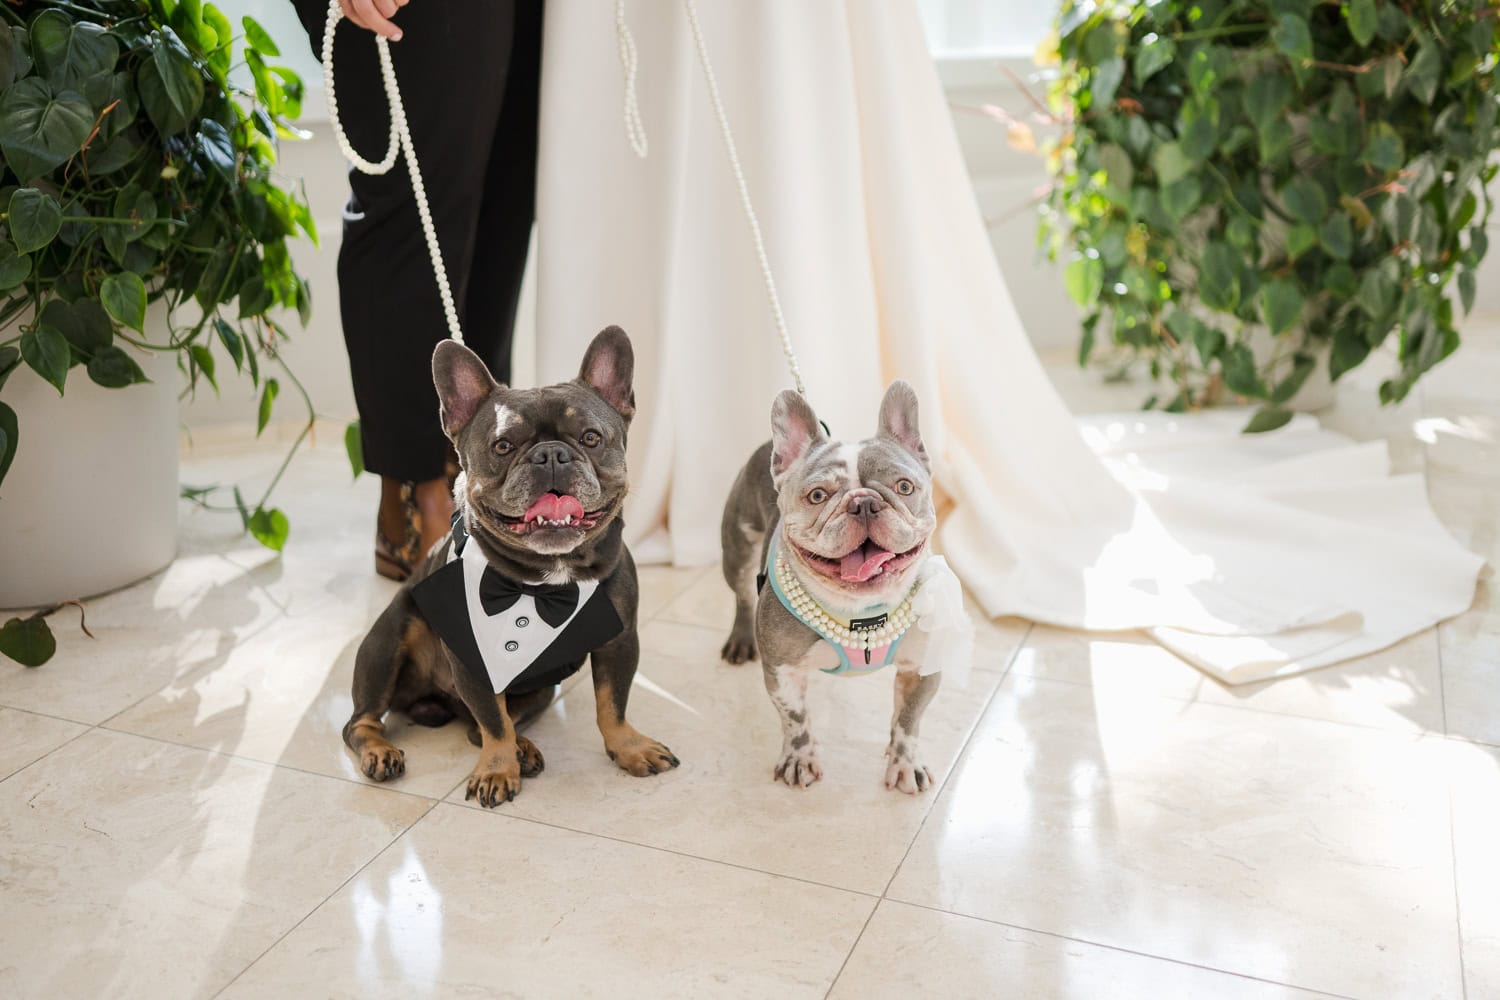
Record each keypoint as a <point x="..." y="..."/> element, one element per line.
<point x="544" y="469"/>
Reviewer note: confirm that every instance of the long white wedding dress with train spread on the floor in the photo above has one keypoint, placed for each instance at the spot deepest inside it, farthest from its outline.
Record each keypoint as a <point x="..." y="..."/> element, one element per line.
<point x="1252" y="558"/>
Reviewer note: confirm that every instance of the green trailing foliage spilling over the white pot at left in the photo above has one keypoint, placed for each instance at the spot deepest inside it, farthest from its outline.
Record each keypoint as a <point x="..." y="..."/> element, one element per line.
<point x="140" y="164"/>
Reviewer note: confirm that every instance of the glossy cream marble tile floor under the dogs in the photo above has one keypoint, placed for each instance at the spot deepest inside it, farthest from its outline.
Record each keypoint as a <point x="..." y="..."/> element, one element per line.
<point x="181" y="818"/>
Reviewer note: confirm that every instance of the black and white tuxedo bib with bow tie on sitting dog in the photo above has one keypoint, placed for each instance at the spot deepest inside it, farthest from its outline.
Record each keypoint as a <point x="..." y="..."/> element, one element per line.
<point x="520" y="636"/>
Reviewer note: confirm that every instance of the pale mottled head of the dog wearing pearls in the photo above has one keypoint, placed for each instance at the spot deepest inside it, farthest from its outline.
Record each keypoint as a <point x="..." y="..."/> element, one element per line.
<point x="856" y="516"/>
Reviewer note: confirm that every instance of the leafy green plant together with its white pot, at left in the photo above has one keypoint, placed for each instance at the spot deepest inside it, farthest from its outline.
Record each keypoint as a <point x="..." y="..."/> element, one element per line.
<point x="145" y="235"/>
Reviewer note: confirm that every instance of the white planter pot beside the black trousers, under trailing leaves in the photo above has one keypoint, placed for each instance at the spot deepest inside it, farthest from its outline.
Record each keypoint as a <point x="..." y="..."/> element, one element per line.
<point x="91" y="501"/>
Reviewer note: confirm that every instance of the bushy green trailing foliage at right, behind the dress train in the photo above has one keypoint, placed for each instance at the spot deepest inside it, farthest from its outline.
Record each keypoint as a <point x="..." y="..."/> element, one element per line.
<point x="1312" y="172"/>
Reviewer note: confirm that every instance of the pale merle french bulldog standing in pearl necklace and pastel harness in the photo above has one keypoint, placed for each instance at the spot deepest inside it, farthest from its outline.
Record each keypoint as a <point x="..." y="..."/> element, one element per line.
<point x="856" y="522"/>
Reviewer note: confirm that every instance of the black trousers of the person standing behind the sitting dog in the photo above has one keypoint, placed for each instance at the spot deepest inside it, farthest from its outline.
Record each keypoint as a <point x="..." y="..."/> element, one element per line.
<point x="470" y="80"/>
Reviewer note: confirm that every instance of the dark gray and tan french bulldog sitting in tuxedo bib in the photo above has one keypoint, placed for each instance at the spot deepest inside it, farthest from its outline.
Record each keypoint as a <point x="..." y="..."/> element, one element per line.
<point x="535" y="578"/>
